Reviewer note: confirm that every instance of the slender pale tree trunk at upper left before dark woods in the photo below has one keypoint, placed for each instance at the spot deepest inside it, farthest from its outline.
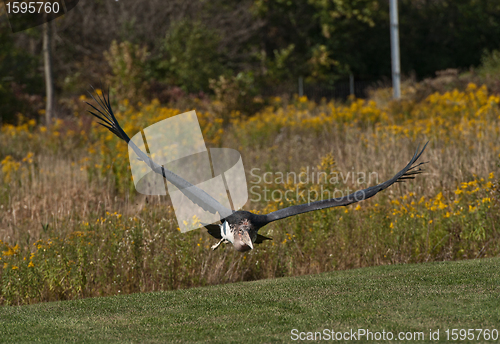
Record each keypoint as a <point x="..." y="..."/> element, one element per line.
<point x="49" y="78"/>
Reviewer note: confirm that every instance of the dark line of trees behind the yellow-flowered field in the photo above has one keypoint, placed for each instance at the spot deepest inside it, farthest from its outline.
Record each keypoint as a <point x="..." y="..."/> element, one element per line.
<point x="148" y="47"/>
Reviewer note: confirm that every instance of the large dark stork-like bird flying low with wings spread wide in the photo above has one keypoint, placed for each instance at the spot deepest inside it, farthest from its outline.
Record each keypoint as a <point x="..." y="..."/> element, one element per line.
<point x="241" y="227"/>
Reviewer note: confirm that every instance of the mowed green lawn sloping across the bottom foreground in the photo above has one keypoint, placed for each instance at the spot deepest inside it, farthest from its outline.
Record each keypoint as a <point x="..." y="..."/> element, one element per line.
<point x="401" y="298"/>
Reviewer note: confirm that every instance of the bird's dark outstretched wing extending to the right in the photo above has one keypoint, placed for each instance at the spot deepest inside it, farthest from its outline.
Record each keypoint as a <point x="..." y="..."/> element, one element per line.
<point x="408" y="172"/>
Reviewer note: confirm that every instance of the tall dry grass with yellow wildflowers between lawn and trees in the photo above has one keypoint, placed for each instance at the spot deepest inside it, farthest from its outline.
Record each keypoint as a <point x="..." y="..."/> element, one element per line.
<point x="72" y="225"/>
